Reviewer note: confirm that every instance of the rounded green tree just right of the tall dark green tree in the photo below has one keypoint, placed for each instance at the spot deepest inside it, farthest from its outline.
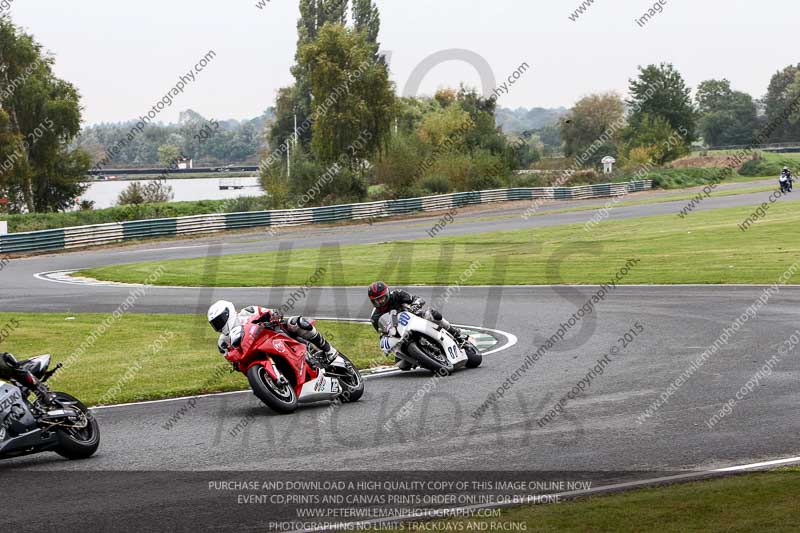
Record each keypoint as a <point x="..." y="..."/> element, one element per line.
<point x="726" y="116"/>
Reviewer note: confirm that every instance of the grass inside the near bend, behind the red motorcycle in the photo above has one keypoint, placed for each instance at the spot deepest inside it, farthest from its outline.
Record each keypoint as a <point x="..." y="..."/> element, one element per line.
<point x="187" y="363"/>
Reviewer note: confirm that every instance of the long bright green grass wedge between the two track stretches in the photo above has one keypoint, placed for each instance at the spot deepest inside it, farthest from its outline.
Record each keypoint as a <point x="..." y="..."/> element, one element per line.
<point x="706" y="247"/>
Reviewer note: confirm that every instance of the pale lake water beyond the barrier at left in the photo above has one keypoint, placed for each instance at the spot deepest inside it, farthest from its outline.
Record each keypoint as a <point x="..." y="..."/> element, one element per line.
<point x="105" y="193"/>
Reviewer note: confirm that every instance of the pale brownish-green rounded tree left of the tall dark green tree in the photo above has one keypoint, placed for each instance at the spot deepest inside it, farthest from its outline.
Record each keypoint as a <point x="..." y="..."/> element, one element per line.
<point x="597" y="118"/>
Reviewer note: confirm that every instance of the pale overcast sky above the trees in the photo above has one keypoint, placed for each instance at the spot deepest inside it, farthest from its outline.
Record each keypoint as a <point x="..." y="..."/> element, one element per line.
<point x="123" y="56"/>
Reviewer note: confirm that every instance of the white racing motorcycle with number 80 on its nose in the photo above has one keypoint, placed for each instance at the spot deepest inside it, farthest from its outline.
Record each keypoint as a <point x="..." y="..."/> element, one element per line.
<point x="420" y="342"/>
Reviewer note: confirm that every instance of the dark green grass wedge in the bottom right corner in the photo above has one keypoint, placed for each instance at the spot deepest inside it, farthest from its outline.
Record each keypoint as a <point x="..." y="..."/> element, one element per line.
<point x="753" y="502"/>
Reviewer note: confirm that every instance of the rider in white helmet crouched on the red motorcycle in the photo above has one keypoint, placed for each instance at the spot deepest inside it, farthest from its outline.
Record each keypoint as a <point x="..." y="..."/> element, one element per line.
<point x="228" y="323"/>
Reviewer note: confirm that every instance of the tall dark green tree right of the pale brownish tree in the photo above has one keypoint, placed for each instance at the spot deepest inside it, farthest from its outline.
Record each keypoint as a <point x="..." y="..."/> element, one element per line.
<point x="660" y="91"/>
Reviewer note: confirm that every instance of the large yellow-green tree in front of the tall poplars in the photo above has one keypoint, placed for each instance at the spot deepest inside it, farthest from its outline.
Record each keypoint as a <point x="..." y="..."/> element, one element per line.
<point x="353" y="97"/>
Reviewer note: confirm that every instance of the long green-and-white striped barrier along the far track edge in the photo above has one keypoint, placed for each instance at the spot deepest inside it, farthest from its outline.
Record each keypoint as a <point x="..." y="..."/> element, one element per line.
<point x="81" y="236"/>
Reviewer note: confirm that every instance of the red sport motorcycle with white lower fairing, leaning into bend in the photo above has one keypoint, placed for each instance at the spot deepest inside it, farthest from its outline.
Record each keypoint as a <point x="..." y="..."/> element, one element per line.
<point x="282" y="371"/>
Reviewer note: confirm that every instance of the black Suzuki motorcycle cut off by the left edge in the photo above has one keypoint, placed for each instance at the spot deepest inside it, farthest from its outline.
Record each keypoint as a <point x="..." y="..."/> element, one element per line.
<point x="33" y="419"/>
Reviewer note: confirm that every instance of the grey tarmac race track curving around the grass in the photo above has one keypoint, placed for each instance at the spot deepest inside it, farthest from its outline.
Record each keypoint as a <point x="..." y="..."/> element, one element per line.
<point x="147" y="477"/>
